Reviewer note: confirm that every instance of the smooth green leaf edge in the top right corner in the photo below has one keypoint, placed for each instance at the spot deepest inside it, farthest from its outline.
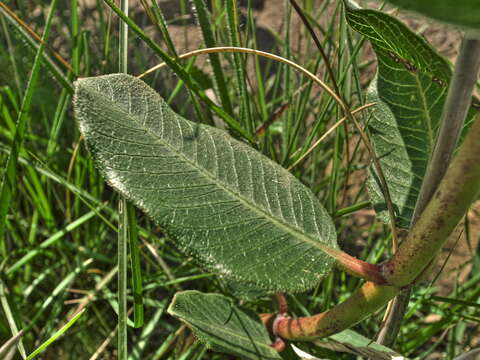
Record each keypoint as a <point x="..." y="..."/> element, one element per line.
<point x="459" y="12"/>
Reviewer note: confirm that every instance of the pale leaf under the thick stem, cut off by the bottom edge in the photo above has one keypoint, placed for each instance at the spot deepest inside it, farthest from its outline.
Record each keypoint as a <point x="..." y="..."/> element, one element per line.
<point x="352" y="342"/>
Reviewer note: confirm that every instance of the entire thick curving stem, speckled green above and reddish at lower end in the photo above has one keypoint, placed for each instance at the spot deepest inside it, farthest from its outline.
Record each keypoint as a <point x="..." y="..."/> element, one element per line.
<point x="458" y="189"/>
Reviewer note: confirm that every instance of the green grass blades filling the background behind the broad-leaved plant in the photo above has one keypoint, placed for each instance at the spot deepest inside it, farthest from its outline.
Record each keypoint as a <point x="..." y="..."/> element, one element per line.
<point x="58" y="250"/>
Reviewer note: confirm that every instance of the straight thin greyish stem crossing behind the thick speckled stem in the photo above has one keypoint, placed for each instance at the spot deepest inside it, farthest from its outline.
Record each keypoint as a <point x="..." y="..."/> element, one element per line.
<point x="453" y="117"/>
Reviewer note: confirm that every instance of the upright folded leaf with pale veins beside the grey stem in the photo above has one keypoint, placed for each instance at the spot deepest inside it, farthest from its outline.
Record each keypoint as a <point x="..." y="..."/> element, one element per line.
<point x="409" y="91"/>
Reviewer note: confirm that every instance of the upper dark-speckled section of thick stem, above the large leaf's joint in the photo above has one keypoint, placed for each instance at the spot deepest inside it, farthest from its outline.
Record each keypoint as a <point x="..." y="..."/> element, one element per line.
<point x="458" y="189"/>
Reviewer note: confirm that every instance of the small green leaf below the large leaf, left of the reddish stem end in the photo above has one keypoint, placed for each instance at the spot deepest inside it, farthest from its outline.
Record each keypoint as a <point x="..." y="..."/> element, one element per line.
<point x="223" y="326"/>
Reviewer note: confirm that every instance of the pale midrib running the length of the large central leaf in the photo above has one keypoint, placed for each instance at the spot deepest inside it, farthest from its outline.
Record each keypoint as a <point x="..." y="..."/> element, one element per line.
<point x="297" y="234"/>
